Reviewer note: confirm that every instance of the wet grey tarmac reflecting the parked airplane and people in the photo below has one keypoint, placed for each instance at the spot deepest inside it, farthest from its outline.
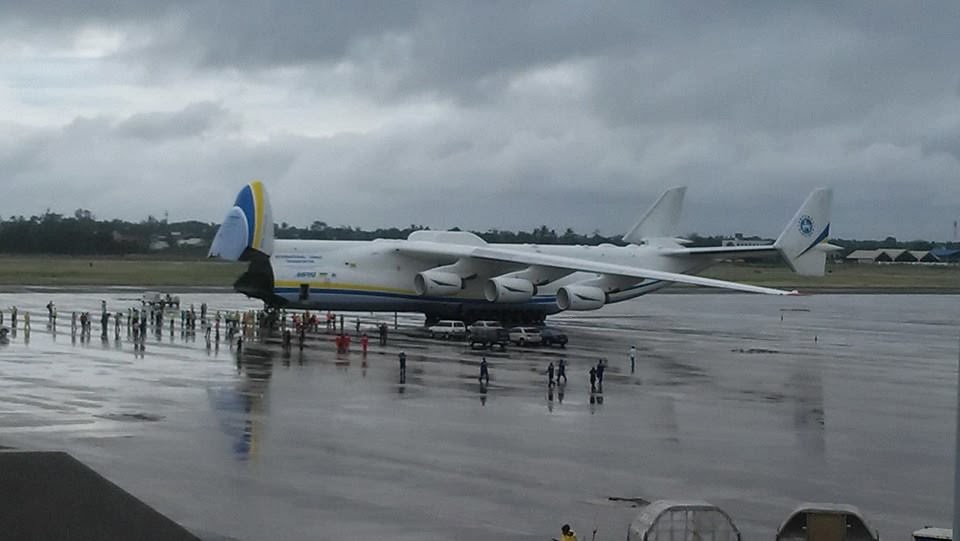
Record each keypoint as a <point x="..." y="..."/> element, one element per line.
<point x="848" y="398"/>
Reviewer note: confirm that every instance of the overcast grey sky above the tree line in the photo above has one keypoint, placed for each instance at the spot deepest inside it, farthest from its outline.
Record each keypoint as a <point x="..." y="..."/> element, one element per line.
<point x="486" y="114"/>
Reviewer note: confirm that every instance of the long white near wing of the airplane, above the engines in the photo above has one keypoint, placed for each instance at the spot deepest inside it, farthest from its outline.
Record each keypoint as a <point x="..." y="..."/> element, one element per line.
<point x="516" y="257"/>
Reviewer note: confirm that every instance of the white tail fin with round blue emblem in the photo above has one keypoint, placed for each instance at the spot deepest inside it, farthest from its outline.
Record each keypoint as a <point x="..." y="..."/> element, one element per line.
<point x="803" y="242"/>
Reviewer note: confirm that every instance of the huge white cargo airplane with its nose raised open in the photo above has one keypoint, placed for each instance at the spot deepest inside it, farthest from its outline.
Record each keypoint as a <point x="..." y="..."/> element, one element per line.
<point x="458" y="275"/>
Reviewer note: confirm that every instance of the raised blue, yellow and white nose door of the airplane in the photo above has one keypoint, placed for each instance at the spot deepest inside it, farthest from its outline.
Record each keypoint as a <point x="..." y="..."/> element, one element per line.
<point x="247" y="226"/>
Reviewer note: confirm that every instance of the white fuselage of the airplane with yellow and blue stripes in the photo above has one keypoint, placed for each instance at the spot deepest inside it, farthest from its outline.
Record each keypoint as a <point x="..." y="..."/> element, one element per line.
<point x="373" y="276"/>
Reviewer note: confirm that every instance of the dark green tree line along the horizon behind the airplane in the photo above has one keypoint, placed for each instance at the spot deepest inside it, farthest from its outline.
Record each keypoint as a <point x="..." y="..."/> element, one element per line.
<point x="83" y="234"/>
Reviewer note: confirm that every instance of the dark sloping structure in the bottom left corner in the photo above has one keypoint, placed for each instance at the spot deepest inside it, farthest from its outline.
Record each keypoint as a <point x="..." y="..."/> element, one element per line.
<point x="51" y="495"/>
